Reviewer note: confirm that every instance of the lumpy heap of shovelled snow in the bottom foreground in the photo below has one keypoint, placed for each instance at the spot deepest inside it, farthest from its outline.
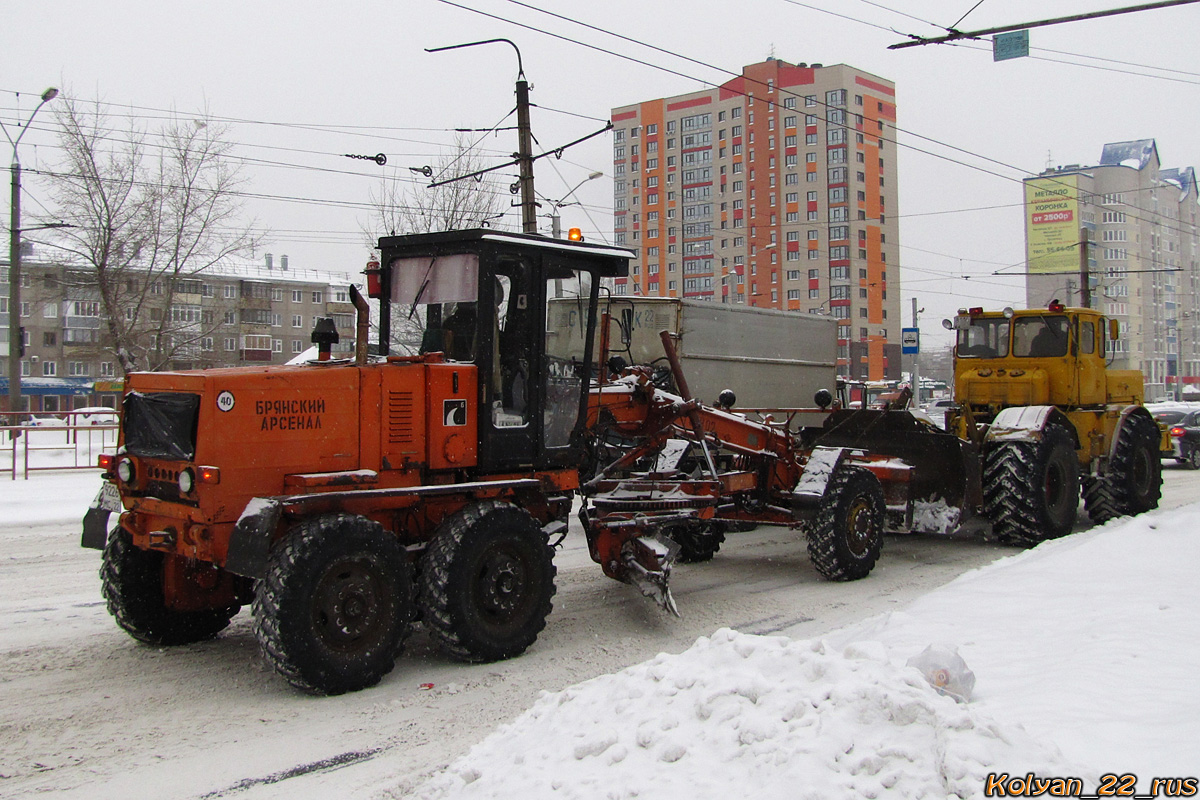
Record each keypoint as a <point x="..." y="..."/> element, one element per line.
<point x="782" y="718"/>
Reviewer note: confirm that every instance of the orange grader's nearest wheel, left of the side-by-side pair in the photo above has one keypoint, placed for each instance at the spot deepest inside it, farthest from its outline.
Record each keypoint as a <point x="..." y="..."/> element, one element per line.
<point x="335" y="606"/>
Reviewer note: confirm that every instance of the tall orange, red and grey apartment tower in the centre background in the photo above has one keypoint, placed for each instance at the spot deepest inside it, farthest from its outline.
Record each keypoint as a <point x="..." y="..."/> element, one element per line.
<point x="776" y="190"/>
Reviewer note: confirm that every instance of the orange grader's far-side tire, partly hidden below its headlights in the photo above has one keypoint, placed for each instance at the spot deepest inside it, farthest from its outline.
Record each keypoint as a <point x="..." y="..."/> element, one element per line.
<point x="131" y="582"/>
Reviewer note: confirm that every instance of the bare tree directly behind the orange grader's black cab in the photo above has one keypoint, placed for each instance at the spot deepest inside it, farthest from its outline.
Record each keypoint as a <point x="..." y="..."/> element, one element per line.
<point x="409" y="207"/>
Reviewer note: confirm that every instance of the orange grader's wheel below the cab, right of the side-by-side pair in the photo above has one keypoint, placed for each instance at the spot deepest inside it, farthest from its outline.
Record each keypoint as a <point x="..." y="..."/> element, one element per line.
<point x="488" y="580"/>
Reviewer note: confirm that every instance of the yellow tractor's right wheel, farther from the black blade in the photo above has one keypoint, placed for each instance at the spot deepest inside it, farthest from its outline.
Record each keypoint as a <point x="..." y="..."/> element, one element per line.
<point x="1135" y="479"/>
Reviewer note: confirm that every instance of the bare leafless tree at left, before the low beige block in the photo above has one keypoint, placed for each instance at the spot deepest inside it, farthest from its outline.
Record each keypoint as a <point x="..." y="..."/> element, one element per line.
<point x="151" y="212"/>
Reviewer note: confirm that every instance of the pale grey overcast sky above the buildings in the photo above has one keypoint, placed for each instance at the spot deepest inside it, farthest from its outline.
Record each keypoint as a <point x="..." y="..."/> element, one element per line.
<point x="305" y="82"/>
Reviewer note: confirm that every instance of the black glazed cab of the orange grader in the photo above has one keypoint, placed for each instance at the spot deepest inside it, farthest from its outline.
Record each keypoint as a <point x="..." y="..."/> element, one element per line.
<point x="479" y="300"/>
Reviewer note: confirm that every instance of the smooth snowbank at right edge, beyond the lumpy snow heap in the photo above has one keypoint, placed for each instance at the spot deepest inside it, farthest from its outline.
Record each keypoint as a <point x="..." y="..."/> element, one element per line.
<point x="1082" y="641"/>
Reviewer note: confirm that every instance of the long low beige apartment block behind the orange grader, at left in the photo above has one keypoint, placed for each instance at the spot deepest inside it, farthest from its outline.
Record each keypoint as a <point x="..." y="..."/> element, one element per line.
<point x="238" y="315"/>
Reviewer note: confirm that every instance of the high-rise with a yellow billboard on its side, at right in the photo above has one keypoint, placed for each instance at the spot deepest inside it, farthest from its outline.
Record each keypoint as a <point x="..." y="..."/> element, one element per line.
<point x="1142" y="256"/>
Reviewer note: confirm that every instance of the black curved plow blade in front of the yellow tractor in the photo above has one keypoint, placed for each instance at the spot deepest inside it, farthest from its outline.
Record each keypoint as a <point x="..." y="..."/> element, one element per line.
<point x="944" y="488"/>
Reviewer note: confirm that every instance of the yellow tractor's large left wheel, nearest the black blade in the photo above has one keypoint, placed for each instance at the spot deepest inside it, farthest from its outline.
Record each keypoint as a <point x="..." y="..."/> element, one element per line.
<point x="1031" y="489"/>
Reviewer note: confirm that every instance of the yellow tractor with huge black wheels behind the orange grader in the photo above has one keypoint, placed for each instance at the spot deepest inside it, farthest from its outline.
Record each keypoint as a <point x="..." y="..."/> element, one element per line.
<point x="1036" y="394"/>
